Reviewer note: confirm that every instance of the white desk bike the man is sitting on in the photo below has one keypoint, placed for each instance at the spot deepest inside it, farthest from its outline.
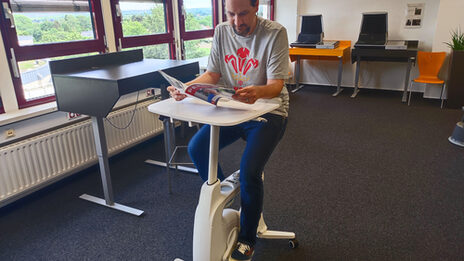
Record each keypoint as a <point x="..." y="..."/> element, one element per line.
<point x="216" y="229"/>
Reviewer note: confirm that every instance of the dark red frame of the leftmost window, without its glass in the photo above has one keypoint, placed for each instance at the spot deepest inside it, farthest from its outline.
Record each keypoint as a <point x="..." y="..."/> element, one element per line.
<point x="47" y="50"/>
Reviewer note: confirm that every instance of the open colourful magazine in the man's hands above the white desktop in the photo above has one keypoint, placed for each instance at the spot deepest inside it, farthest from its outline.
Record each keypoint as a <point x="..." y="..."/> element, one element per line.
<point x="206" y="92"/>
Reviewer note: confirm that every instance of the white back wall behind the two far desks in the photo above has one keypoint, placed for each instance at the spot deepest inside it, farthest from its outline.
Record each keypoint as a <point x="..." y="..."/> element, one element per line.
<point x="342" y="21"/>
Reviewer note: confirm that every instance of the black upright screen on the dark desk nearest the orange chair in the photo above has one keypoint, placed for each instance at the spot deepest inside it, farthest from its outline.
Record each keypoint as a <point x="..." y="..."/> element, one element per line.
<point x="374" y="29"/>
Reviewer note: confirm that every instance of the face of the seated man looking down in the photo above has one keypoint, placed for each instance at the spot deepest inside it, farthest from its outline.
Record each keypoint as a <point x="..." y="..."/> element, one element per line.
<point x="241" y="15"/>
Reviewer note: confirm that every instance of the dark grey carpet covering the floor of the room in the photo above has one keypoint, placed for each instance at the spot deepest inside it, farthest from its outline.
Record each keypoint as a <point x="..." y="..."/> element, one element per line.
<point x="356" y="179"/>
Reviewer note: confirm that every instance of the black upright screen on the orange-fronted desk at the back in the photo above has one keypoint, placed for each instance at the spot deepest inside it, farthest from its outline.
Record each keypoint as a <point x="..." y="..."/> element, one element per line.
<point x="311" y="31"/>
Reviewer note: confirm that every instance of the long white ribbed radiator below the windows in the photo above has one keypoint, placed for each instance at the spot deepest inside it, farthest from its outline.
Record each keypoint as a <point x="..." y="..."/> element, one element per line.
<point x="31" y="164"/>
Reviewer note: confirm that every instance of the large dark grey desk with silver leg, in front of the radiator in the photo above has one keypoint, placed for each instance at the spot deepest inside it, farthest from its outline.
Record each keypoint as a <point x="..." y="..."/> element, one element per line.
<point x="92" y="85"/>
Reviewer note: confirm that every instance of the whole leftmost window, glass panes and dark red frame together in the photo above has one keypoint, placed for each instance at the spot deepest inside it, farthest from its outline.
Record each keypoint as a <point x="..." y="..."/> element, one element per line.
<point x="36" y="31"/>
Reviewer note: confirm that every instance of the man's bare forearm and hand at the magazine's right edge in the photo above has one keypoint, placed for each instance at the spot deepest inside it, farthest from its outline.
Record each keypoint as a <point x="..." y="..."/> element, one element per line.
<point x="251" y="93"/>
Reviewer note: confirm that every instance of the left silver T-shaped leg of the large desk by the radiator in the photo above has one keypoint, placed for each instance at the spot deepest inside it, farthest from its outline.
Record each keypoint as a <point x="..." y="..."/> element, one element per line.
<point x="102" y="153"/>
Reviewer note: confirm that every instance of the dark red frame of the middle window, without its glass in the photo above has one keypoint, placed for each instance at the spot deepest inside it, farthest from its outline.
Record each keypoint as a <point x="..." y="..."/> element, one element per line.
<point x="144" y="40"/>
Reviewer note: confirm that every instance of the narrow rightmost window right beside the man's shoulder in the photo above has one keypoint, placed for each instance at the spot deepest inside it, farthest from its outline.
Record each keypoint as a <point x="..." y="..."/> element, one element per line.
<point x="197" y="21"/>
